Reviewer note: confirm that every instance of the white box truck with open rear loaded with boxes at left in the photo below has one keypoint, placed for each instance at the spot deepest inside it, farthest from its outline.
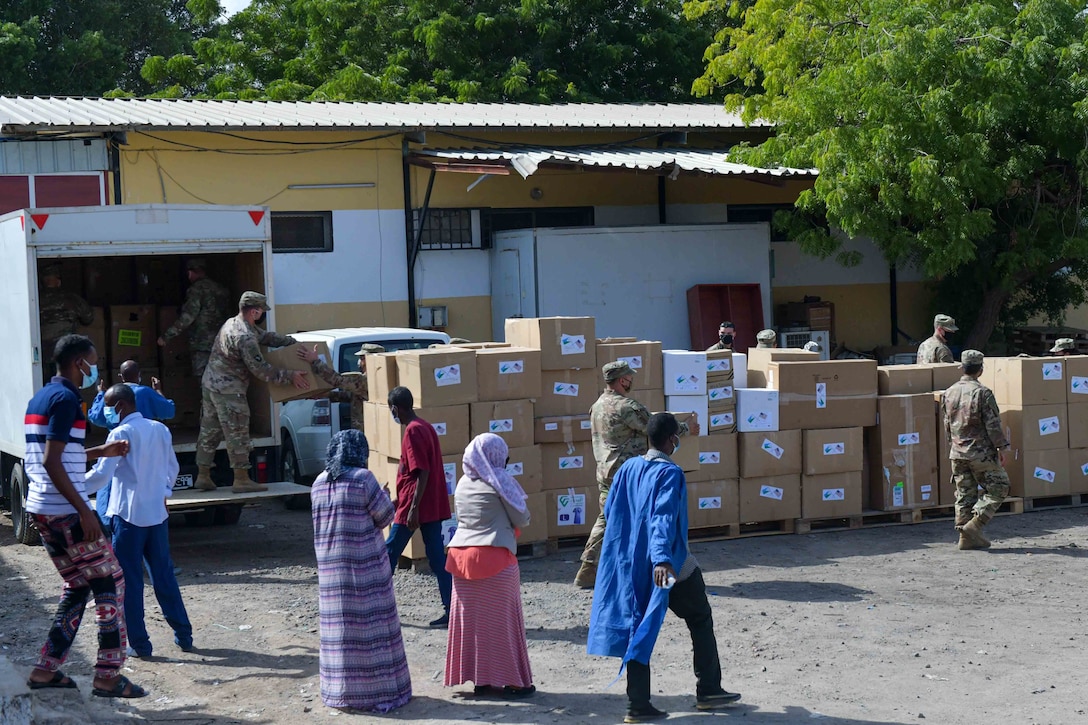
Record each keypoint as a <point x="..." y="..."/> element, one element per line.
<point x="130" y="264"/>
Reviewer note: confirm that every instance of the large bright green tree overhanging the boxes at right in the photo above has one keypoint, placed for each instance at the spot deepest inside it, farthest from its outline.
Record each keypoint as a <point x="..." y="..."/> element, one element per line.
<point x="953" y="133"/>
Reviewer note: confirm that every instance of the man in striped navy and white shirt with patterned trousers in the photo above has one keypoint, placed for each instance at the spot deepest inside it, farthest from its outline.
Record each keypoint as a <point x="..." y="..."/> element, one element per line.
<point x="57" y="501"/>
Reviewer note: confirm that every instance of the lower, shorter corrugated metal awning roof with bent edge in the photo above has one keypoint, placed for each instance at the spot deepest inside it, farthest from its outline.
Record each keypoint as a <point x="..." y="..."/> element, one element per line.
<point x="526" y="161"/>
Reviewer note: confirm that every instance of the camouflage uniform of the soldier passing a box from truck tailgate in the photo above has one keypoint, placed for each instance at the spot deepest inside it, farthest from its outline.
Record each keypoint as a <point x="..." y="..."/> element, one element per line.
<point x="236" y="357"/>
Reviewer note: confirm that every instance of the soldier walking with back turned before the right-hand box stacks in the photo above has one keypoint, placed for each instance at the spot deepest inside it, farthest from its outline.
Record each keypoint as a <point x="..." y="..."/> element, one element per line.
<point x="973" y="427"/>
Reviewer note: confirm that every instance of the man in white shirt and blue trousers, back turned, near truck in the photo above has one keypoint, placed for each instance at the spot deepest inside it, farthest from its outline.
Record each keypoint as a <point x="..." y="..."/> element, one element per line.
<point x="141" y="485"/>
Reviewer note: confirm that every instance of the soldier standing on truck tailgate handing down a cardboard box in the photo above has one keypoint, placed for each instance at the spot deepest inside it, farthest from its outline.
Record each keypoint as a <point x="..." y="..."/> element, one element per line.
<point x="225" y="412"/>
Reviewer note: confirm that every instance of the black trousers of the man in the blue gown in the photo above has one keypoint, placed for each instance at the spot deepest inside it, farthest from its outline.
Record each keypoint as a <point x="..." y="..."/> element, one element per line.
<point x="688" y="601"/>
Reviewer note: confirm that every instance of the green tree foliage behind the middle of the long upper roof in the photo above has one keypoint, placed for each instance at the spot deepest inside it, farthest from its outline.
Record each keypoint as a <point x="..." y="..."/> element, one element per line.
<point x="463" y="51"/>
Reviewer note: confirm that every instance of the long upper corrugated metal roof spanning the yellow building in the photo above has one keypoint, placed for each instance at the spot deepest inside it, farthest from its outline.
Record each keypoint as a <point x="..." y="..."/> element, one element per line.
<point x="57" y="114"/>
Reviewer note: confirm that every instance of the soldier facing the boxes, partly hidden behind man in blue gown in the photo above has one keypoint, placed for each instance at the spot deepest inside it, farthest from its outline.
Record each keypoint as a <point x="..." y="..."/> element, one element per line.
<point x="620" y="433"/>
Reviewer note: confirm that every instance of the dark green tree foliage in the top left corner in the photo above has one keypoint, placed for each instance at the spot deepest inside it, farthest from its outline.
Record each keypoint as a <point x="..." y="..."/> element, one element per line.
<point x="88" y="47"/>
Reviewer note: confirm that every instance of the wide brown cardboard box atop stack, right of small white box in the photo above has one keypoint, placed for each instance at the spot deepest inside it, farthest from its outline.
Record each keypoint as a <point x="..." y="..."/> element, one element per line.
<point x="825" y="395"/>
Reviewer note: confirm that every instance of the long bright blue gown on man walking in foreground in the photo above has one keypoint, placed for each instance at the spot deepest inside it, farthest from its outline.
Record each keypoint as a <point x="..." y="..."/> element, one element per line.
<point x="647" y="515"/>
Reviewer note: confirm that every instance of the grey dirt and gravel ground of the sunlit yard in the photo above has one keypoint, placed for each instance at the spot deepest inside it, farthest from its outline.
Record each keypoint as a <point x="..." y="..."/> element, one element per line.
<point x="882" y="625"/>
